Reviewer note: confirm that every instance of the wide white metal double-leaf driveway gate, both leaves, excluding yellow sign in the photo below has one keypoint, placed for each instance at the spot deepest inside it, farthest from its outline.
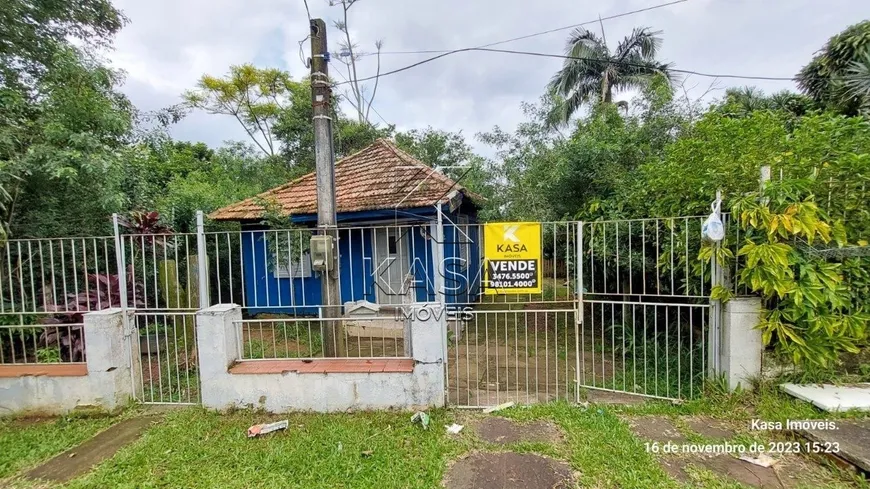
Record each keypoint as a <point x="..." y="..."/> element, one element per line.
<point x="625" y="308"/>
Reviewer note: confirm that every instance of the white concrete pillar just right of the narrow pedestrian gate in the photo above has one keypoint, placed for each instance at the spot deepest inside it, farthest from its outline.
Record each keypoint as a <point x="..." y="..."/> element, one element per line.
<point x="217" y="343"/>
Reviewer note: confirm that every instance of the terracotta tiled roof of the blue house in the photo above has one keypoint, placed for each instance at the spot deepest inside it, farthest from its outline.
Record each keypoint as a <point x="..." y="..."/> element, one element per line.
<point x="379" y="177"/>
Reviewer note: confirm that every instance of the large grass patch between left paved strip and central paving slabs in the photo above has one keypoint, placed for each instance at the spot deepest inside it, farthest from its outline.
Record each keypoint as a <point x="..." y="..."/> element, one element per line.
<point x="194" y="448"/>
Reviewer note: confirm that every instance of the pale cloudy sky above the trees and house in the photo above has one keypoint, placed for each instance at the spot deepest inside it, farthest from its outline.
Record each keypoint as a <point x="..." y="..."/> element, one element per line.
<point x="169" y="44"/>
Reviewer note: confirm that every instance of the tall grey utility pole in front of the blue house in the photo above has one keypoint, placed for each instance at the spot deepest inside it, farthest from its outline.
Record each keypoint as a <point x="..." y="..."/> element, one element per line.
<point x="324" y="159"/>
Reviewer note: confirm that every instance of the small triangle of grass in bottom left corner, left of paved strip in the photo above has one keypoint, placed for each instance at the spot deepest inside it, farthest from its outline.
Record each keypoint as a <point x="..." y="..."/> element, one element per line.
<point x="25" y="442"/>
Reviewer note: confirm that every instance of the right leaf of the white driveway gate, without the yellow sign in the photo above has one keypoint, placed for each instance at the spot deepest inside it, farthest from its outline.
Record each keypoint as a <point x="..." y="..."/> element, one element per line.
<point x="644" y="307"/>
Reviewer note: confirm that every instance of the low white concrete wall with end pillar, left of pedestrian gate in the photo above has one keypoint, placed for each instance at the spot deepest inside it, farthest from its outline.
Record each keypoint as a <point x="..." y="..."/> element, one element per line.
<point x="107" y="384"/>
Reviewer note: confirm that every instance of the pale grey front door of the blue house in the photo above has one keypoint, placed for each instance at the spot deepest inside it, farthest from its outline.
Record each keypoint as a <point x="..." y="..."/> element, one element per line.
<point x="392" y="265"/>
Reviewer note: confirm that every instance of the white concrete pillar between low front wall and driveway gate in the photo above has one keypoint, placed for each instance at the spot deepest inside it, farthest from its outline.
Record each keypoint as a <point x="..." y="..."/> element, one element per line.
<point x="429" y="349"/>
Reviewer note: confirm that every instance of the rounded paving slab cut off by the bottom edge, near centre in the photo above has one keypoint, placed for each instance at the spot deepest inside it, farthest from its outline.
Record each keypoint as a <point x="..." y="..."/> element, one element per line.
<point x="508" y="470"/>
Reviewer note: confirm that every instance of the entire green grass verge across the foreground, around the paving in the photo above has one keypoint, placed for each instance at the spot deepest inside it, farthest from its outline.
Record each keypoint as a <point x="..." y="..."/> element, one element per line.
<point x="195" y="448"/>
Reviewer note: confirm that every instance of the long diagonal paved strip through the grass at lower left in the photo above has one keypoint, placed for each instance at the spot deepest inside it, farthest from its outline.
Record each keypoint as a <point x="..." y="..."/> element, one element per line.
<point x="78" y="460"/>
